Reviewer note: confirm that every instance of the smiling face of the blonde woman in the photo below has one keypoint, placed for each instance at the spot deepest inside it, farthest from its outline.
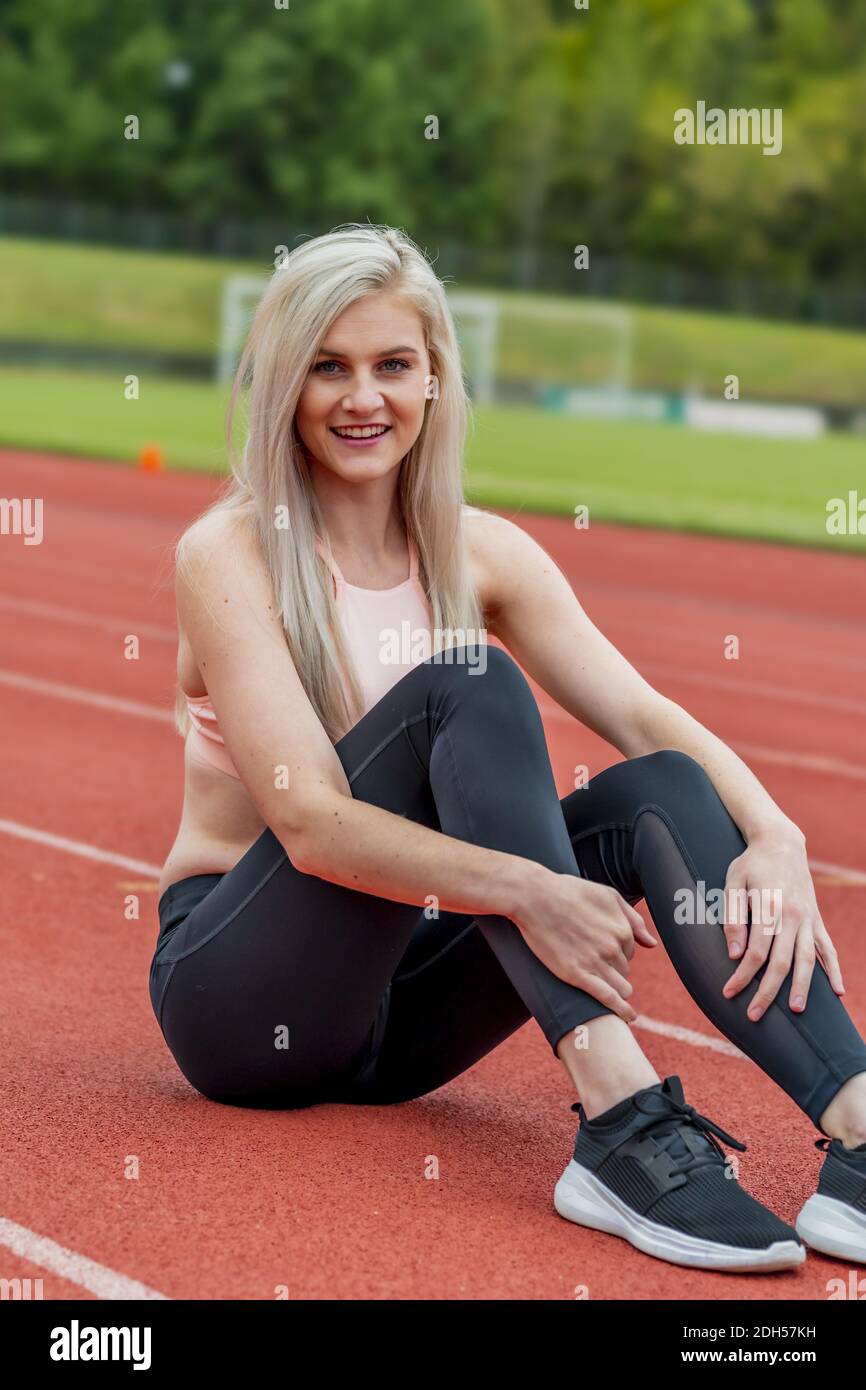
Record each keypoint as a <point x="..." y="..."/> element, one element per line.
<point x="372" y="372"/>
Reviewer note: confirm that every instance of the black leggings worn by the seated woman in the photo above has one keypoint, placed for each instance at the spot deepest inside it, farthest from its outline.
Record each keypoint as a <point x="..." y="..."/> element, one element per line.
<point x="279" y="989"/>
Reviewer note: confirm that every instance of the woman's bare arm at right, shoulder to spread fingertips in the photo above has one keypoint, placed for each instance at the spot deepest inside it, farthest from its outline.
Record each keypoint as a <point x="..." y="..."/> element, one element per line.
<point x="544" y="626"/>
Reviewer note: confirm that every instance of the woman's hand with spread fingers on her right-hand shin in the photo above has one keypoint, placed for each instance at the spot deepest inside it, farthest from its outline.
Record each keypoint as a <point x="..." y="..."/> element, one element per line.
<point x="774" y="878"/>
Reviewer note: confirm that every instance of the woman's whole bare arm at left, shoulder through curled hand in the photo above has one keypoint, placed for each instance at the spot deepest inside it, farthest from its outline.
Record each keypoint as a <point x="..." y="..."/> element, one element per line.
<point x="583" y="932"/>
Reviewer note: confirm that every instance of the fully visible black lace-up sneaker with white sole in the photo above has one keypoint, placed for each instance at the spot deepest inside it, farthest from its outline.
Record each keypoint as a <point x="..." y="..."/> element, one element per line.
<point x="650" y="1171"/>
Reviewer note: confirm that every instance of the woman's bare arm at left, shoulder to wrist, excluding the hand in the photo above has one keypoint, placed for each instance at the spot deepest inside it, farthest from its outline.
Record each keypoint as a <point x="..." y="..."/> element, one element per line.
<point x="229" y="615"/>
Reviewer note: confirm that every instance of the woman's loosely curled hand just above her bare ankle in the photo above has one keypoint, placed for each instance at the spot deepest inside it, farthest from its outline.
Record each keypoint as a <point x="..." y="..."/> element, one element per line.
<point x="585" y="933"/>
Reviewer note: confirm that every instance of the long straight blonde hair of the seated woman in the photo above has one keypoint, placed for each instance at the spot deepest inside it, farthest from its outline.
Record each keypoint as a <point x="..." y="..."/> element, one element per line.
<point x="316" y="283"/>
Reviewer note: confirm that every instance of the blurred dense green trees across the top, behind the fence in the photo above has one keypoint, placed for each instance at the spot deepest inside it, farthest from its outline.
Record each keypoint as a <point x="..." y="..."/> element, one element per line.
<point x="555" y="124"/>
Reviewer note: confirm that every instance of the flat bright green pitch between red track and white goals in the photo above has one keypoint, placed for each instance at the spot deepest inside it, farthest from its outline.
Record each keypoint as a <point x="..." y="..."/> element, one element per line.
<point x="635" y="473"/>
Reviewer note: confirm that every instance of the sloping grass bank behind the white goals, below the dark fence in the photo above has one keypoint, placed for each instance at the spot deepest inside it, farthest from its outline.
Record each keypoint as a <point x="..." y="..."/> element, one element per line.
<point x="106" y="297"/>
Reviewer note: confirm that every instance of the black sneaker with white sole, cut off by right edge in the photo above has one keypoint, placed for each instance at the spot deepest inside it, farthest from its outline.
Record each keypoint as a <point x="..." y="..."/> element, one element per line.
<point x="835" y="1218"/>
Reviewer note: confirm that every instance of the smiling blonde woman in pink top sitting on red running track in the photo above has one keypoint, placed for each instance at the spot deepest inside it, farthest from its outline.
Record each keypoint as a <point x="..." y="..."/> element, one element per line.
<point x="375" y="882"/>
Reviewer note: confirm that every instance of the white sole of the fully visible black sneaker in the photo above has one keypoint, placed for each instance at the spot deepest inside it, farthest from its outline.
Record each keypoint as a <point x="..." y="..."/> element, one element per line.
<point x="583" y="1199"/>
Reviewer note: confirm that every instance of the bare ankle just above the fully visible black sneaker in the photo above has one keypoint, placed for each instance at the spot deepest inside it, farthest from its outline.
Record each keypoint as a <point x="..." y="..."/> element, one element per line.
<point x="605" y="1064"/>
